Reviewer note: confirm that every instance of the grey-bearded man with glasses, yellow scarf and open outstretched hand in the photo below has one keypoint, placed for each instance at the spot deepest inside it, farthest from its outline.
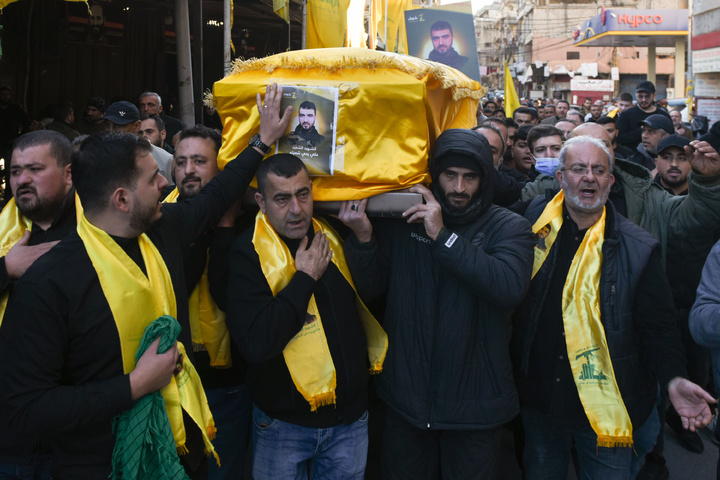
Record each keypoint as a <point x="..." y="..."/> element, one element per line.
<point x="596" y="332"/>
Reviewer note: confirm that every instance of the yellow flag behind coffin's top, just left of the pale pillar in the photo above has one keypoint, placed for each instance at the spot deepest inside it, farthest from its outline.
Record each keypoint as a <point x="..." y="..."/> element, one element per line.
<point x="326" y="23"/>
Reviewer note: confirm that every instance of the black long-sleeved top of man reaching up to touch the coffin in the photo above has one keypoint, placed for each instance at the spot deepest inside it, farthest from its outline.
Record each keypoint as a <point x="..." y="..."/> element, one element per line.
<point x="61" y="375"/>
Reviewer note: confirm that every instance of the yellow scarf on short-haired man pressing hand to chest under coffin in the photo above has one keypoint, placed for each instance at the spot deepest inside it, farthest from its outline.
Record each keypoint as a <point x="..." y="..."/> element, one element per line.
<point x="307" y="354"/>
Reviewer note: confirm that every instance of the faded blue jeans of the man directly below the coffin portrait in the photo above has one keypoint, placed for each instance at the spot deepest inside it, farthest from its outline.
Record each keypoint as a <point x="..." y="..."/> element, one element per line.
<point x="286" y="451"/>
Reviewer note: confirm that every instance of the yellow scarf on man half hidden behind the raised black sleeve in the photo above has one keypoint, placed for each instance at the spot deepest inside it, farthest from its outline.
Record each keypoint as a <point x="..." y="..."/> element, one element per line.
<point x="207" y="321"/>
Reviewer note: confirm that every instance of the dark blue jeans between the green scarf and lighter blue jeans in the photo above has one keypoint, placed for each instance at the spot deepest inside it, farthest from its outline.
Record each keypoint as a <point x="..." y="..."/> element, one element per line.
<point x="232" y="409"/>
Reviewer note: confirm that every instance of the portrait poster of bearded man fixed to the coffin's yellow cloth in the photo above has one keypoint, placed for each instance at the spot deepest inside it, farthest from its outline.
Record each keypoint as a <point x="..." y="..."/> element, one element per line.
<point x="311" y="133"/>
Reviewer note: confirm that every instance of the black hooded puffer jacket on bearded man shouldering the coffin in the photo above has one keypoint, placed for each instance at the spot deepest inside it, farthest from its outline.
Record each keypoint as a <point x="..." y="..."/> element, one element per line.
<point x="449" y="303"/>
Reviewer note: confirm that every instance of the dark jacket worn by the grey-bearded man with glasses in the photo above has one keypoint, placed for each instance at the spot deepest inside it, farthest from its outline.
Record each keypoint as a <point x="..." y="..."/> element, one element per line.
<point x="643" y="340"/>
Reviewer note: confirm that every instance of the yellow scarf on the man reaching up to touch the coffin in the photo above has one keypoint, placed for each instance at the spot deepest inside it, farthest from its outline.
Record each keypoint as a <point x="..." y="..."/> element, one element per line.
<point x="135" y="301"/>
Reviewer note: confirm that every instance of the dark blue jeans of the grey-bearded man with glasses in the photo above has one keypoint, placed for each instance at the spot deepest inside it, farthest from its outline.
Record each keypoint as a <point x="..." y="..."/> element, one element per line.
<point x="549" y="444"/>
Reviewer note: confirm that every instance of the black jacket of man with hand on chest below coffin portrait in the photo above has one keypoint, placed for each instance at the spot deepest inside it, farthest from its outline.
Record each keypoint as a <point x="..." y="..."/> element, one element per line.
<point x="261" y="324"/>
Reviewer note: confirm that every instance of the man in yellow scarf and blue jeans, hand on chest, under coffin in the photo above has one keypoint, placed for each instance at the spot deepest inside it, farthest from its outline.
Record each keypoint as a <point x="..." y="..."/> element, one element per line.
<point x="293" y="311"/>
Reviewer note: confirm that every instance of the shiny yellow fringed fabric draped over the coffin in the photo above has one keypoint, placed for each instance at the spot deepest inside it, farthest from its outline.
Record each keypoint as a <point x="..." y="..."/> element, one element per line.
<point x="391" y="109"/>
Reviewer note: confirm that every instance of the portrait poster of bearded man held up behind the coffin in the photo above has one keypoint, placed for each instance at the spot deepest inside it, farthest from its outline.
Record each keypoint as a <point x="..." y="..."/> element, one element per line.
<point x="445" y="36"/>
